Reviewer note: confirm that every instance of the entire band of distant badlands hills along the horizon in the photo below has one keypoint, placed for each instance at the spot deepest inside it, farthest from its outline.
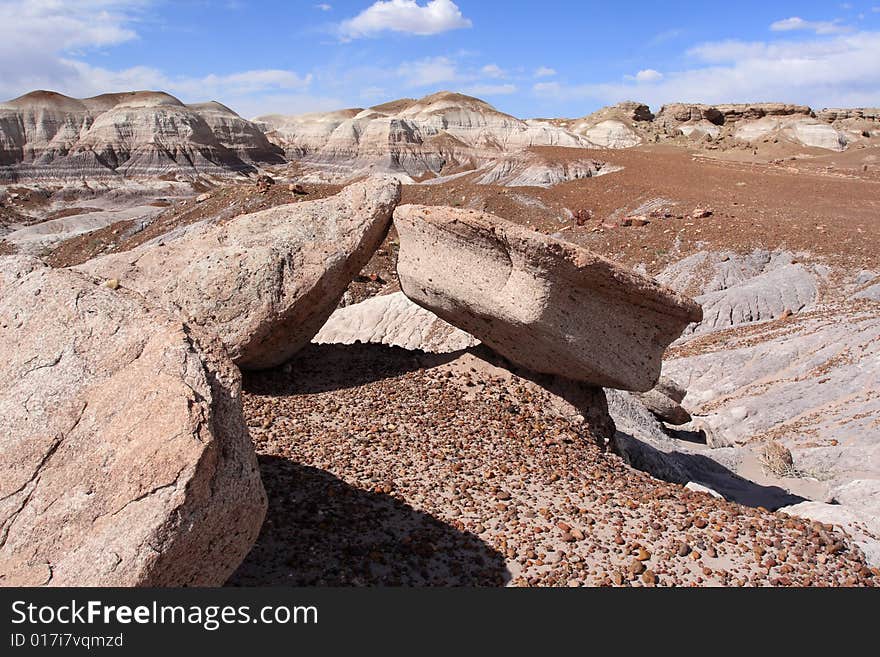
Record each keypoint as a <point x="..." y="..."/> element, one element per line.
<point x="140" y="134"/>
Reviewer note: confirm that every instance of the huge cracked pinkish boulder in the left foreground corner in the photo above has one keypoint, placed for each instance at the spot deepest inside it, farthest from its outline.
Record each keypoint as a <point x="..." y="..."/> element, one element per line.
<point x="124" y="457"/>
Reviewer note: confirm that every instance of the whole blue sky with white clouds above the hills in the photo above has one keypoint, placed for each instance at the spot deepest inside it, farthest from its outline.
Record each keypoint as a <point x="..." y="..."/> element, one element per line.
<point x="528" y="58"/>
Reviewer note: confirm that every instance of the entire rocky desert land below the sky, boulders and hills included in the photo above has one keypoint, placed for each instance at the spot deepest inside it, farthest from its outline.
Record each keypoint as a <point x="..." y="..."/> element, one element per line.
<point x="428" y="343"/>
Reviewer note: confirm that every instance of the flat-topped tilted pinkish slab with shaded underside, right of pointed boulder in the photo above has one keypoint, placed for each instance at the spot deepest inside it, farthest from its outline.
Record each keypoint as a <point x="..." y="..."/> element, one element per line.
<point x="545" y="304"/>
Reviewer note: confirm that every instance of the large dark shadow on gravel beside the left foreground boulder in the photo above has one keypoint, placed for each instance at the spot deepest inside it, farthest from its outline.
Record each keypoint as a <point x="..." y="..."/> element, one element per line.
<point x="321" y="531"/>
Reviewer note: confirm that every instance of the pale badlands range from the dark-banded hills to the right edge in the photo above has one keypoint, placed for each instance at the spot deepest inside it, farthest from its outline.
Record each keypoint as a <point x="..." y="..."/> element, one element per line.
<point x="449" y="134"/>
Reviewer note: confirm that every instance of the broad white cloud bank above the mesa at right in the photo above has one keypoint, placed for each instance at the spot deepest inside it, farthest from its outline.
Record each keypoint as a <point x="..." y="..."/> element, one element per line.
<point x="837" y="71"/>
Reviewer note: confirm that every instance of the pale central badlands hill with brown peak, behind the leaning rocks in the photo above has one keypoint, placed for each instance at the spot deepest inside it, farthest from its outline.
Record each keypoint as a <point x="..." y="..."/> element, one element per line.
<point x="439" y="135"/>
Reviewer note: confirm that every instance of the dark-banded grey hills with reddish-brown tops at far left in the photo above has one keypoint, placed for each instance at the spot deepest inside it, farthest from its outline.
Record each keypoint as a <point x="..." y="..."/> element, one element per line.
<point x="46" y="135"/>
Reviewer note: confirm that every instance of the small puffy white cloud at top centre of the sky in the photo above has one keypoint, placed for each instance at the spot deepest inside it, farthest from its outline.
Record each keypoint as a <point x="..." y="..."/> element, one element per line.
<point x="406" y="16"/>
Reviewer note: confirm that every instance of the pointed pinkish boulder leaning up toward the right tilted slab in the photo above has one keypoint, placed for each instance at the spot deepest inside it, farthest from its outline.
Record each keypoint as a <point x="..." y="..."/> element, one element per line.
<point x="264" y="282"/>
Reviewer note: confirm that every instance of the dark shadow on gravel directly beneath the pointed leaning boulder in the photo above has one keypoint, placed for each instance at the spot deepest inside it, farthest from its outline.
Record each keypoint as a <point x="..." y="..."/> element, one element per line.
<point x="327" y="367"/>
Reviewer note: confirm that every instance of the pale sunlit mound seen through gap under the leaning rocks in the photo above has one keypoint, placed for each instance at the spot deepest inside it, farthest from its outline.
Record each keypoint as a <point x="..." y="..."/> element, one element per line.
<point x="395" y="321"/>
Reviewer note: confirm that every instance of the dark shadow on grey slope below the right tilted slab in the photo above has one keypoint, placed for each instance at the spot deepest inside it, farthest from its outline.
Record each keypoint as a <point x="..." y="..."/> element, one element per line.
<point x="682" y="467"/>
